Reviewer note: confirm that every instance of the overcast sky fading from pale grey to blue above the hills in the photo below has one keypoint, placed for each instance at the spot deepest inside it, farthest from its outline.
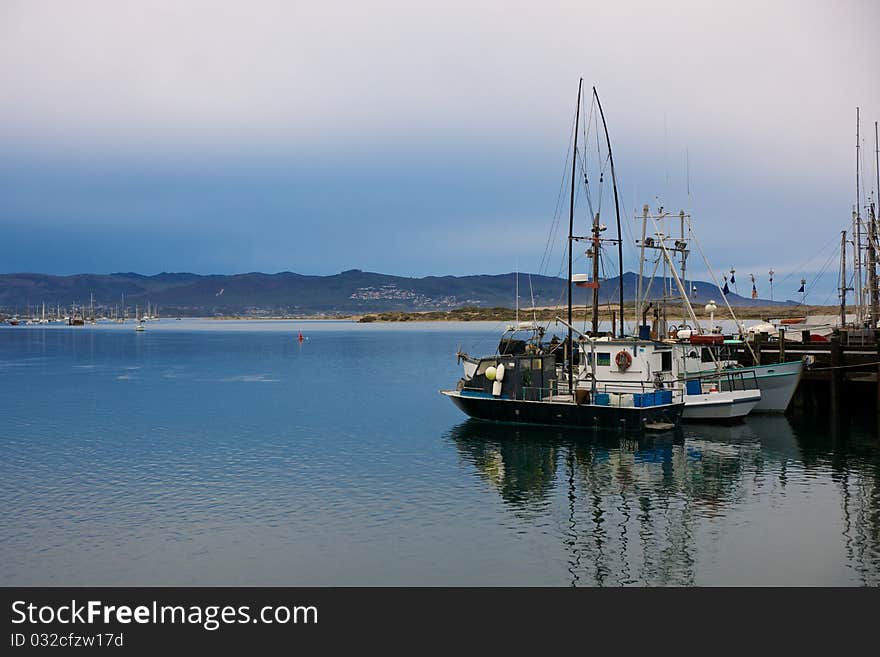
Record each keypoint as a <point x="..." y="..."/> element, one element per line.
<point x="422" y="138"/>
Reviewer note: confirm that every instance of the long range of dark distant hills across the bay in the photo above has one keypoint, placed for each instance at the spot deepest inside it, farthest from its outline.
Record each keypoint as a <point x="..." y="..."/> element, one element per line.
<point x="350" y="292"/>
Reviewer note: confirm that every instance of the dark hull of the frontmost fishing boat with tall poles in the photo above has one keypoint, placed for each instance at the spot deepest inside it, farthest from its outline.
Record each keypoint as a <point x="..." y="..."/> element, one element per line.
<point x="591" y="416"/>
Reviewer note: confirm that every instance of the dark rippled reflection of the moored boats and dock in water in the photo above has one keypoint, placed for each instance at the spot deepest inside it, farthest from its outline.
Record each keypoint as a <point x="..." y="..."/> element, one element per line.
<point x="657" y="510"/>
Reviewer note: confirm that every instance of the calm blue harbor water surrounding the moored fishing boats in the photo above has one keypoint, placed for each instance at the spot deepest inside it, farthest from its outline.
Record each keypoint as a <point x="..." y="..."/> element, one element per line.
<point x="205" y="452"/>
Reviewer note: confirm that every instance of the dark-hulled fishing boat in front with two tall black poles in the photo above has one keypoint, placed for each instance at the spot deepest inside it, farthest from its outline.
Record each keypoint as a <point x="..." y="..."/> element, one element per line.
<point x="527" y="384"/>
